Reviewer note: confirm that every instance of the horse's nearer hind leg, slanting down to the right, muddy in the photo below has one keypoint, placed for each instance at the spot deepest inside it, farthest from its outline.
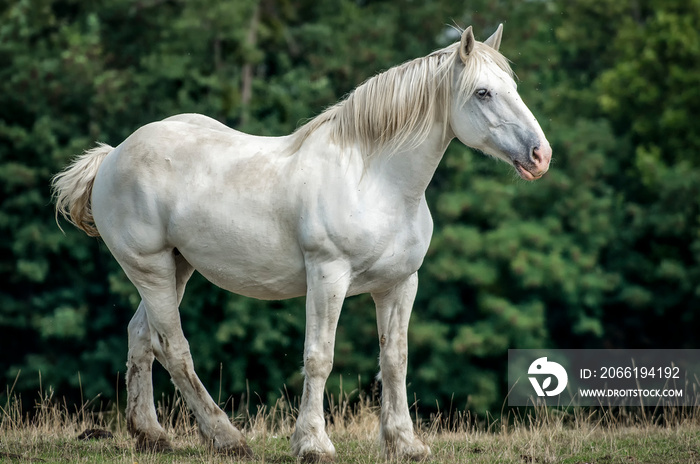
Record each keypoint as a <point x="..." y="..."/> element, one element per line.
<point x="155" y="276"/>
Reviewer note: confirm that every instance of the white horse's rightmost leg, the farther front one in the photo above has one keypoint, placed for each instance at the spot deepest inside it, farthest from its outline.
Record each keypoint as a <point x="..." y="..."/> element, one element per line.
<point x="393" y="313"/>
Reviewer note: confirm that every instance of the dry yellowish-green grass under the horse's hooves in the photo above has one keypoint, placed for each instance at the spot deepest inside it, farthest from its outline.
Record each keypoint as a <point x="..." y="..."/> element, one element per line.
<point x="48" y="431"/>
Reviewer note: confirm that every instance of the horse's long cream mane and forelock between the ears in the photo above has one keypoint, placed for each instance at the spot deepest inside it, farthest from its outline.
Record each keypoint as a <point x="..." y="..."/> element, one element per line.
<point x="396" y="109"/>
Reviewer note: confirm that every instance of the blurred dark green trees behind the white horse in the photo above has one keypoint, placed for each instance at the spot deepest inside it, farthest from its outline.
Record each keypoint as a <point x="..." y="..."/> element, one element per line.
<point x="604" y="251"/>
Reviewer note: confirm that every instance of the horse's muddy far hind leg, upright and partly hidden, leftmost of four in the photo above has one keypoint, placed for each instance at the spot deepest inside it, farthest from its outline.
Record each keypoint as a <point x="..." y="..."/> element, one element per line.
<point x="142" y="421"/>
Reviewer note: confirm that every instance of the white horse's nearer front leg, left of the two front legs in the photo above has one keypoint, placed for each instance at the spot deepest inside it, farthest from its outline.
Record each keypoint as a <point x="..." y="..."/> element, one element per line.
<point x="327" y="286"/>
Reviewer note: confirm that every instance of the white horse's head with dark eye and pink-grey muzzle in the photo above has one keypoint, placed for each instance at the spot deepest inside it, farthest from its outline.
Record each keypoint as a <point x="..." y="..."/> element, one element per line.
<point x="488" y="114"/>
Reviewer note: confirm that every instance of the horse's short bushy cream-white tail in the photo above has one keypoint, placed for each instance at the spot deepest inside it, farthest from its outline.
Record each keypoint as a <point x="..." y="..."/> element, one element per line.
<point x="72" y="189"/>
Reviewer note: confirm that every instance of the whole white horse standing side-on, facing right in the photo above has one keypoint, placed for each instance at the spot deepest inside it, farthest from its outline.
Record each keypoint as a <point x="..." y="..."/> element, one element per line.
<point x="335" y="209"/>
